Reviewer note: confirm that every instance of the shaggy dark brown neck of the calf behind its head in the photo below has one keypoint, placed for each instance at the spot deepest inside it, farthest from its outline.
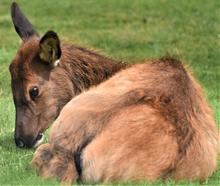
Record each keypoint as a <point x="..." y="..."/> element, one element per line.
<point x="85" y="68"/>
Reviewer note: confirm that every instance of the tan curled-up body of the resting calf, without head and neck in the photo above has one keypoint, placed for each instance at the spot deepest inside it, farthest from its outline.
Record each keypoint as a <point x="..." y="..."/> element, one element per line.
<point x="149" y="121"/>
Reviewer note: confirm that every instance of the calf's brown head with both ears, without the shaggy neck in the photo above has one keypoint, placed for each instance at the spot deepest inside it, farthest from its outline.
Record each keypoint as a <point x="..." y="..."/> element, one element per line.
<point x="34" y="74"/>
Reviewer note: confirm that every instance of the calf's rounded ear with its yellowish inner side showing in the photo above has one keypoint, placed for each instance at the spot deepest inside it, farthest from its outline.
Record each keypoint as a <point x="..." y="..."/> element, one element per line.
<point x="50" y="50"/>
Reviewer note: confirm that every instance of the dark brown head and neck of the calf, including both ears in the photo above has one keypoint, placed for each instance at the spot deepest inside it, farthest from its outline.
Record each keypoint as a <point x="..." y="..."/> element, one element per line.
<point x="46" y="74"/>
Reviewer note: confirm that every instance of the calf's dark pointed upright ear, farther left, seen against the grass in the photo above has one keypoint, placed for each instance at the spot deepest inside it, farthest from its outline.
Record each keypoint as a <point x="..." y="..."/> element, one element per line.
<point x="22" y="26"/>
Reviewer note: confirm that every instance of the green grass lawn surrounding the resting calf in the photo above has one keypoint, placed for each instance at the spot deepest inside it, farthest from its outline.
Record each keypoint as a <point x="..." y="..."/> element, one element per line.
<point x="123" y="29"/>
